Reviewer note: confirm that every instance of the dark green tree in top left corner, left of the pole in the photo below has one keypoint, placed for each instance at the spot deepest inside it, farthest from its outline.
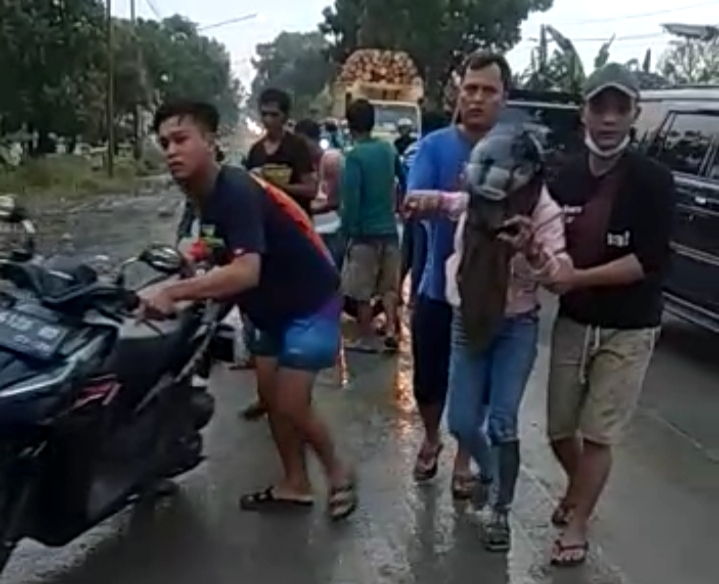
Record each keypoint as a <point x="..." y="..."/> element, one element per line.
<point x="49" y="52"/>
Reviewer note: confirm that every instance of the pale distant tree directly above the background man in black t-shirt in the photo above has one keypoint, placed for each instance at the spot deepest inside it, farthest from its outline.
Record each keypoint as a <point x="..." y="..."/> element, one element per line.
<point x="296" y="62"/>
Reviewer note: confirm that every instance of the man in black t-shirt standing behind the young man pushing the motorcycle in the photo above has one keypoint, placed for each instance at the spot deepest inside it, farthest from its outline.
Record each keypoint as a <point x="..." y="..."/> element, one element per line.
<point x="281" y="157"/>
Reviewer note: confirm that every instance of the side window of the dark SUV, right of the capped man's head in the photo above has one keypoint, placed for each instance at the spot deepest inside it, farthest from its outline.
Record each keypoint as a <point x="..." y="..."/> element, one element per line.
<point x="685" y="140"/>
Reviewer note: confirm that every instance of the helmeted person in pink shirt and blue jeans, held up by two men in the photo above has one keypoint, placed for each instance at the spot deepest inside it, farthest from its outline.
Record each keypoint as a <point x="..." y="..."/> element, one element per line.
<point x="486" y="384"/>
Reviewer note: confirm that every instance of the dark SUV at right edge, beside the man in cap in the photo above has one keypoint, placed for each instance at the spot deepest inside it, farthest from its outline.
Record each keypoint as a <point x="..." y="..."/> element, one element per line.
<point x="680" y="127"/>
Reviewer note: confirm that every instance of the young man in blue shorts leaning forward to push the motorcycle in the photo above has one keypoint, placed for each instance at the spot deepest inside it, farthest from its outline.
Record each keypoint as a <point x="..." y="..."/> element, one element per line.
<point x="278" y="271"/>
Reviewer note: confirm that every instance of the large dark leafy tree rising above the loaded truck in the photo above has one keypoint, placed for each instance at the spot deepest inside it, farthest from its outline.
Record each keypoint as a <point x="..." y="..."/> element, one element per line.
<point x="438" y="37"/>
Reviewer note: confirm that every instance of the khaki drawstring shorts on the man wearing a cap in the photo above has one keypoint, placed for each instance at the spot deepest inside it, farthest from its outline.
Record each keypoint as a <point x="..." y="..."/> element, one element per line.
<point x="595" y="379"/>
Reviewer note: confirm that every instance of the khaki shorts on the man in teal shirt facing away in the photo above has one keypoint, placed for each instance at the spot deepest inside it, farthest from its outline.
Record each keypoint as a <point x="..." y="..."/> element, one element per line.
<point x="371" y="269"/>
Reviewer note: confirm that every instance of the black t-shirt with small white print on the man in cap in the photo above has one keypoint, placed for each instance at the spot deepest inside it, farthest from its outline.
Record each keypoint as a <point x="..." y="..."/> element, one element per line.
<point x="605" y="223"/>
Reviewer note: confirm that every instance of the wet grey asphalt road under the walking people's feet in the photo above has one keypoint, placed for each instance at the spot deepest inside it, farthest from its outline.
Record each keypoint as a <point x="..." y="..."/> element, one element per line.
<point x="657" y="524"/>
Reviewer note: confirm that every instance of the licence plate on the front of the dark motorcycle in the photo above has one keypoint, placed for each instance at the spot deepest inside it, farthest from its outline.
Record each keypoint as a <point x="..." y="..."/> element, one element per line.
<point x="30" y="335"/>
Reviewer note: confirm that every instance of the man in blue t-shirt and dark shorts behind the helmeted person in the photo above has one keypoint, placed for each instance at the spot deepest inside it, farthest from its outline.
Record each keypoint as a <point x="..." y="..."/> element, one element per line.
<point x="438" y="166"/>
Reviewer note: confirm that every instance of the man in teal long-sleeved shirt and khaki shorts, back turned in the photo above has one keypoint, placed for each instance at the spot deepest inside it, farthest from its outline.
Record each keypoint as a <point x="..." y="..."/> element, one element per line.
<point x="369" y="225"/>
